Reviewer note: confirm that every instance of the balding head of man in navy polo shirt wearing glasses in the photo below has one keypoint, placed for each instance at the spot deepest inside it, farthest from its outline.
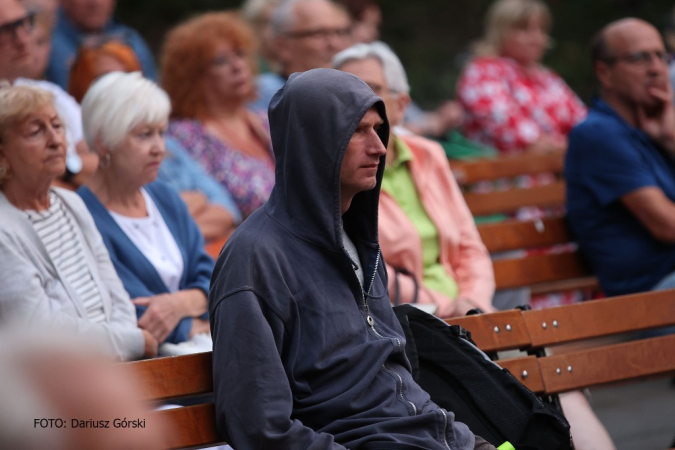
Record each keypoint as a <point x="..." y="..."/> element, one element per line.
<point x="636" y="66"/>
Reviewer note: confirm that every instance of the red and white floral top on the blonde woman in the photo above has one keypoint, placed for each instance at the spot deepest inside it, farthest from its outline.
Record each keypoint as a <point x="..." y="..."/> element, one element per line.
<point x="510" y="109"/>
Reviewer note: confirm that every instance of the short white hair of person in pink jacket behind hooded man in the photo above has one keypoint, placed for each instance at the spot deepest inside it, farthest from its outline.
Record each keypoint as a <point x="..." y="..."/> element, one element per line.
<point x="393" y="70"/>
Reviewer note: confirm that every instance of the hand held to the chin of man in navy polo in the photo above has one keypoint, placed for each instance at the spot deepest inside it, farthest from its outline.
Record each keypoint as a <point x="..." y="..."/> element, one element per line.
<point x="659" y="123"/>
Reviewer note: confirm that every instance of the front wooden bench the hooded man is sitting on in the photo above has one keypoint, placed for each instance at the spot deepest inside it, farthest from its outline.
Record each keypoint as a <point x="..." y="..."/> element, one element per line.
<point x="194" y="426"/>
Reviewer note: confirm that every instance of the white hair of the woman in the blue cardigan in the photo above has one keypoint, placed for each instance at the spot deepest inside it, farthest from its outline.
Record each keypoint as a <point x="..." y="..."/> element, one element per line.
<point x="118" y="102"/>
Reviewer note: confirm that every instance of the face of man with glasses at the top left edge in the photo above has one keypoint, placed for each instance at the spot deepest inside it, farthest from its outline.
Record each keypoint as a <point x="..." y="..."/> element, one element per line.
<point x="15" y="40"/>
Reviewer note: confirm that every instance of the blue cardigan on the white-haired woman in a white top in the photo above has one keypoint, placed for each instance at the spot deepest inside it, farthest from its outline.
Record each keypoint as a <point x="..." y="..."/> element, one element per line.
<point x="138" y="275"/>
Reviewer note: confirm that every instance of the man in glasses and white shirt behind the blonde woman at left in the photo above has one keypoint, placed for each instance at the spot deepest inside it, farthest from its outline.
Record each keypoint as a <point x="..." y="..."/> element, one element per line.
<point x="20" y="61"/>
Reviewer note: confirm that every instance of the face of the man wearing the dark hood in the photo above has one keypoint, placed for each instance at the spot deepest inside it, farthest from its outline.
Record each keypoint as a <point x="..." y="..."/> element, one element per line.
<point x="362" y="158"/>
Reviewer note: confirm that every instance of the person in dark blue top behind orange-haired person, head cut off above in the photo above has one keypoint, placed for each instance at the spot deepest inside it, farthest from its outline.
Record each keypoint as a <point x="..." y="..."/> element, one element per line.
<point x="81" y="20"/>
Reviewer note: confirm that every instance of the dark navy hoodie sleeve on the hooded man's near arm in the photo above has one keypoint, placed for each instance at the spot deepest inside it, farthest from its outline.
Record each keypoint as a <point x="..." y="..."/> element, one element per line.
<point x="253" y="398"/>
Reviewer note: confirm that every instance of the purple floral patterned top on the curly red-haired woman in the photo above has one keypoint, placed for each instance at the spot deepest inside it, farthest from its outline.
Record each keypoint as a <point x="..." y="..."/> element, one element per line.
<point x="247" y="178"/>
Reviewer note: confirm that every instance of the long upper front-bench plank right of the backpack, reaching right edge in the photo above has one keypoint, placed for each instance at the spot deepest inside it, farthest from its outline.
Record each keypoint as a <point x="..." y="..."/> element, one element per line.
<point x="599" y="318"/>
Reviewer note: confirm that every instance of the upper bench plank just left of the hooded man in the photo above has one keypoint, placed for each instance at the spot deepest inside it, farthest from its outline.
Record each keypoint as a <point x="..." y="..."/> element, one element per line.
<point x="175" y="377"/>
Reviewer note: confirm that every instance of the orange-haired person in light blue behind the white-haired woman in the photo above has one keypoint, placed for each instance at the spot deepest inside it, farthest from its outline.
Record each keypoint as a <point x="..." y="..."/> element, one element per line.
<point x="210" y="205"/>
